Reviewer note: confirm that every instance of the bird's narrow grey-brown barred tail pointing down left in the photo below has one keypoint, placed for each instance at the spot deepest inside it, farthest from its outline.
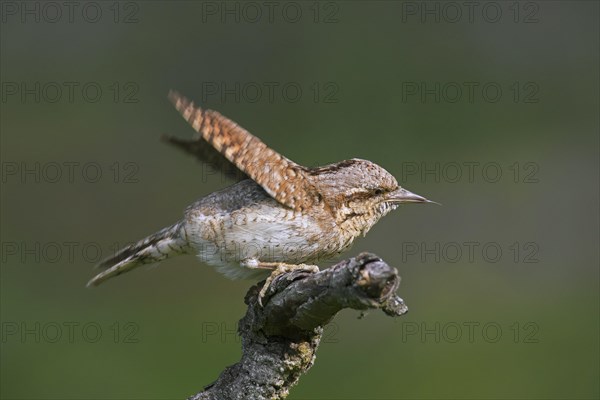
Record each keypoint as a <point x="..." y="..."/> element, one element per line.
<point x="157" y="247"/>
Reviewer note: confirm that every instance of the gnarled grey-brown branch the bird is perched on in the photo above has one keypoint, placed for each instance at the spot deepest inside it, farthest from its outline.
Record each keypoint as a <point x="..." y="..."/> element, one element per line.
<point x="280" y="340"/>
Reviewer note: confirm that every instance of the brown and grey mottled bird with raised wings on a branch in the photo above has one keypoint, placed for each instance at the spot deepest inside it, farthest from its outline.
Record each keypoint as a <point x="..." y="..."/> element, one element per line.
<point x="277" y="217"/>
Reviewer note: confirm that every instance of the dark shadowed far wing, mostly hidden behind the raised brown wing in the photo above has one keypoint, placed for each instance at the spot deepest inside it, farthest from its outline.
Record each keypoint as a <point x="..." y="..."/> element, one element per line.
<point x="208" y="155"/>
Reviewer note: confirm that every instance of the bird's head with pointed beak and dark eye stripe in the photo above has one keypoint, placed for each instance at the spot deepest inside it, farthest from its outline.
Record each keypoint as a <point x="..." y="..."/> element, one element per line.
<point x="361" y="192"/>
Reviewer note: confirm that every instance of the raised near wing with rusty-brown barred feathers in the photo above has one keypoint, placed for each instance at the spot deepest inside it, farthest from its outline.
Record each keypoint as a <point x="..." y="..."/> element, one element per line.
<point x="283" y="179"/>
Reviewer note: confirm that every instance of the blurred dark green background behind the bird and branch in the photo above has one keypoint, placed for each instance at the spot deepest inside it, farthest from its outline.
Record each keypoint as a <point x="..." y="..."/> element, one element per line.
<point x="522" y="324"/>
